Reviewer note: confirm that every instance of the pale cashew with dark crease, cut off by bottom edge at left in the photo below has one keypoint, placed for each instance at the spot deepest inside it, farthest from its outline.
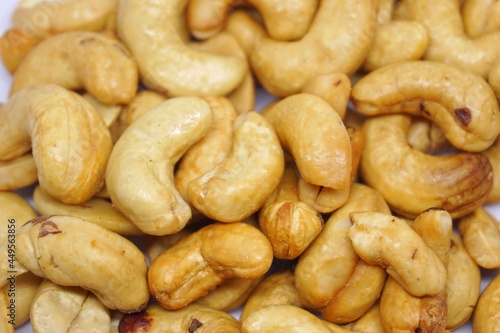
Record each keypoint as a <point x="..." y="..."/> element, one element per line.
<point x="67" y="309"/>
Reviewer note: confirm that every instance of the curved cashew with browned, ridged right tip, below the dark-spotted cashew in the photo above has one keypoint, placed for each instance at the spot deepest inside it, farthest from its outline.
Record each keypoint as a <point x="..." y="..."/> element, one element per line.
<point x="411" y="181"/>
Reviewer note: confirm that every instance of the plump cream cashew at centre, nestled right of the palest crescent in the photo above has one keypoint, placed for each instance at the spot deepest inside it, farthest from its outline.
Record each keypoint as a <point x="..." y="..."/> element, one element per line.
<point x="238" y="186"/>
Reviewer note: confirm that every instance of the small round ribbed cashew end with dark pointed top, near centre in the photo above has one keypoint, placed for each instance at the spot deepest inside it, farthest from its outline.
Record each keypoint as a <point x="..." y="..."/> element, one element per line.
<point x="289" y="224"/>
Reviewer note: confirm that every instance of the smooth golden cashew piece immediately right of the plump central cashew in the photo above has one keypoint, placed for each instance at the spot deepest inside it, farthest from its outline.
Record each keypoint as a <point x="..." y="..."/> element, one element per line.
<point x="314" y="134"/>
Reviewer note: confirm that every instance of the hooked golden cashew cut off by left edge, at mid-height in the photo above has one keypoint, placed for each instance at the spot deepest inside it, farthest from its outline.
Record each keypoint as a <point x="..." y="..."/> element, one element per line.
<point x="67" y="137"/>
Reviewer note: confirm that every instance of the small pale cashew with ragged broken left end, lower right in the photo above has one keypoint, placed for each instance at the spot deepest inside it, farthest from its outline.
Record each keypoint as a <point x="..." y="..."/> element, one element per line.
<point x="388" y="241"/>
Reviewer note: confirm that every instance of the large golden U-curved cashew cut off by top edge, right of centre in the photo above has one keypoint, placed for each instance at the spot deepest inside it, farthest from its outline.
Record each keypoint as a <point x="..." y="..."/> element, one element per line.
<point x="337" y="42"/>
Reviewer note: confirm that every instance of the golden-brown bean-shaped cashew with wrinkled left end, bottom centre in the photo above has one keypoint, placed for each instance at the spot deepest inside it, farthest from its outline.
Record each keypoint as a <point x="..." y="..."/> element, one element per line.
<point x="201" y="261"/>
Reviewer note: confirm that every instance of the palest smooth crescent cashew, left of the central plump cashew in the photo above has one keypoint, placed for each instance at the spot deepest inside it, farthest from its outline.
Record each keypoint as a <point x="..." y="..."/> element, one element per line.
<point x="140" y="173"/>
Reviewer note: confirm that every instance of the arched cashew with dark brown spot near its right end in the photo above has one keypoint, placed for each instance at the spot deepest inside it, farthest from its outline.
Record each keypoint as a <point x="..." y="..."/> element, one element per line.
<point x="461" y="103"/>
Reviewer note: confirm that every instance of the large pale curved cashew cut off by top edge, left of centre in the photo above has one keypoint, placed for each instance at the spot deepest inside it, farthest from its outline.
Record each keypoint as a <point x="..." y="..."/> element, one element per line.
<point x="167" y="64"/>
